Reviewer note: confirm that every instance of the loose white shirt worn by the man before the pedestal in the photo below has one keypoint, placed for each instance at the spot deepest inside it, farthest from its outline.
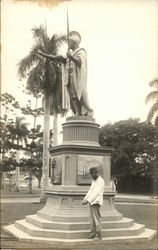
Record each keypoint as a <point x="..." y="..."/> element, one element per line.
<point x="95" y="193"/>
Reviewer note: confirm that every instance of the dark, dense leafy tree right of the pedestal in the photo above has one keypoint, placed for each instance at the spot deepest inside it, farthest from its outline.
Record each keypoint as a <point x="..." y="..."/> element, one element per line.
<point x="134" y="144"/>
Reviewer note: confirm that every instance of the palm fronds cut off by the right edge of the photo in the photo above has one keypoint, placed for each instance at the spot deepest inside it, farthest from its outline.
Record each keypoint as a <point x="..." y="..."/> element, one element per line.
<point x="153" y="97"/>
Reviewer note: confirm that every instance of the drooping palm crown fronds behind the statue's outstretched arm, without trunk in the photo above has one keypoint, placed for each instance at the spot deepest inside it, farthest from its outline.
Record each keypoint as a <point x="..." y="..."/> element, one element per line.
<point x="44" y="75"/>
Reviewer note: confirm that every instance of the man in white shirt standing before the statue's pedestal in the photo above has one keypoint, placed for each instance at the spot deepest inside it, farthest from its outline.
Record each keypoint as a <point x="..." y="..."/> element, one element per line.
<point x="95" y="199"/>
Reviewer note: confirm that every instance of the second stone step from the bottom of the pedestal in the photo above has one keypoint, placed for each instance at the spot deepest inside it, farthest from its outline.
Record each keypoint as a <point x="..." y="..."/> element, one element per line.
<point x="33" y="230"/>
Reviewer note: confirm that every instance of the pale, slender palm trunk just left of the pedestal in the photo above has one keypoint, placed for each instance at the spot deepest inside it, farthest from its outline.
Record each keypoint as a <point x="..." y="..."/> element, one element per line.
<point x="46" y="137"/>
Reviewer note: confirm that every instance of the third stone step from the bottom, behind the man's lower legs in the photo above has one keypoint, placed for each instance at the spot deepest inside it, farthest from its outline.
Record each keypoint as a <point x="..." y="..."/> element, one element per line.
<point x="47" y="224"/>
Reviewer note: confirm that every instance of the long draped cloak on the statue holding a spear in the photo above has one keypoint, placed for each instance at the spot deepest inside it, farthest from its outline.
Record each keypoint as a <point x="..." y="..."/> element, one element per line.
<point x="74" y="81"/>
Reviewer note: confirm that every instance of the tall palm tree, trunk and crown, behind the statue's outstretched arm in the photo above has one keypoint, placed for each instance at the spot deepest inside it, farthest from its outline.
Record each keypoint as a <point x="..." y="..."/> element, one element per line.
<point x="44" y="76"/>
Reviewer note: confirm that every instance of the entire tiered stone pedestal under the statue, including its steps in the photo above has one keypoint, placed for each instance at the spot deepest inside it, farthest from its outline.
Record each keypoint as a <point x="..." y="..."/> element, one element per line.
<point x="63" y="217"/>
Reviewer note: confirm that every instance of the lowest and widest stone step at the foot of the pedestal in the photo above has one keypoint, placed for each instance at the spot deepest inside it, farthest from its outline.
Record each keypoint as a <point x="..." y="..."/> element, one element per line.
<point x="144" y="237"/>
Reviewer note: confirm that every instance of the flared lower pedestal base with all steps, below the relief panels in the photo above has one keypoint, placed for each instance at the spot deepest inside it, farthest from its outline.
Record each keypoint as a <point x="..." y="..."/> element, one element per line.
<point x="64" y="219"/>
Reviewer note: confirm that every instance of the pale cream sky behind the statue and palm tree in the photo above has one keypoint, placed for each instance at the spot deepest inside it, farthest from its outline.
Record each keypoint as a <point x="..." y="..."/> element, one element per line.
<point x="121" y="40"/>
